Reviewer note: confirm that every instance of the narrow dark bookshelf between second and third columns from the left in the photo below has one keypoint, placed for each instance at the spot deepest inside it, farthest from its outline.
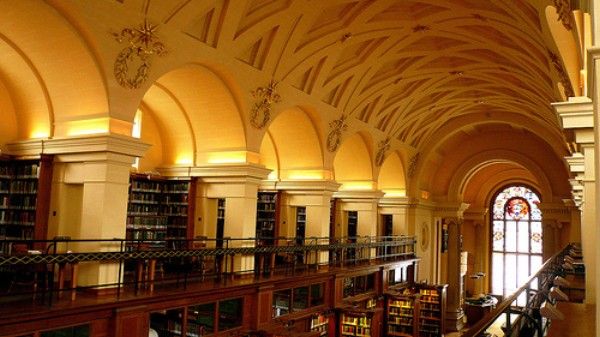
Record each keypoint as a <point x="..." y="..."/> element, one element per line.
<point x="266" y="217"/>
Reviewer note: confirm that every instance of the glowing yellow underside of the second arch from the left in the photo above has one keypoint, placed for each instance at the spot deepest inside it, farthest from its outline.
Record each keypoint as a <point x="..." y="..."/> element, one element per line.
<point x="196" y="108"/>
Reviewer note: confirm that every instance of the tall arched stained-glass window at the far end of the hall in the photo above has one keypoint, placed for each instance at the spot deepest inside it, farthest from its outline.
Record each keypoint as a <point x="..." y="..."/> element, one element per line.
<point x="516" y="239"/>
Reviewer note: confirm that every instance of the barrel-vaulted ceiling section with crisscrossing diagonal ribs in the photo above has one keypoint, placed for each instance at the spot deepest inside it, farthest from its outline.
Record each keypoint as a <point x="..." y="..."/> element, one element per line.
<point x="401" y="67"/>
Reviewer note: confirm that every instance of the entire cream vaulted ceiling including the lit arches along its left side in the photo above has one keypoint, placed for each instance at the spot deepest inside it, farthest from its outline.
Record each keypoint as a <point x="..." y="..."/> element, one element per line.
<point x="416" y="78"/>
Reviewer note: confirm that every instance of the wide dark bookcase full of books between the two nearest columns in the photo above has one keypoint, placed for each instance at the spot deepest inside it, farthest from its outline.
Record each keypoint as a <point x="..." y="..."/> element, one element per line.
<point x="160" y="211"/>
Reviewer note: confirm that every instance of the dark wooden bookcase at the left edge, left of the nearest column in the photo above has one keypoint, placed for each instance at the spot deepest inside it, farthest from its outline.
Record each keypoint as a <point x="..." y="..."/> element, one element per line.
<point x="25" y="198"/>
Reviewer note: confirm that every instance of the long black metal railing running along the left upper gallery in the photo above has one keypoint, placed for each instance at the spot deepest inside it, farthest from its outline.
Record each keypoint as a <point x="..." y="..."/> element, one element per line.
<point x="142" y="264"/>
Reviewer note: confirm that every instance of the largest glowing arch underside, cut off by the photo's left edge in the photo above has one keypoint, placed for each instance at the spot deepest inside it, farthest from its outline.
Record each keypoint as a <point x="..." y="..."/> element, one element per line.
<point x="48" y="96"/>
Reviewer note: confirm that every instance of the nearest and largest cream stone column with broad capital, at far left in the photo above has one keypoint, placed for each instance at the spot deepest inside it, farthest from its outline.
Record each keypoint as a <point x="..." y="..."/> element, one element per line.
<point x="89" y="194"/>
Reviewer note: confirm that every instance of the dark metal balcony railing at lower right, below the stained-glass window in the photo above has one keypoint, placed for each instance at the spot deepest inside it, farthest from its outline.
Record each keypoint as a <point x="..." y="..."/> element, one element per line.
<point x="540" y="291"/>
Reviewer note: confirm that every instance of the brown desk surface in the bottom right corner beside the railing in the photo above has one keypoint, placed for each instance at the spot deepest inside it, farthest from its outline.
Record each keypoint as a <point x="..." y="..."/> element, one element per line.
<point x="580" y="320"/>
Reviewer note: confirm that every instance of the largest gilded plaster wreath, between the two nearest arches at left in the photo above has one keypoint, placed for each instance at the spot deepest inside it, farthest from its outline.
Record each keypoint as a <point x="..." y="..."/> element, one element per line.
<point x="141" y="46"/>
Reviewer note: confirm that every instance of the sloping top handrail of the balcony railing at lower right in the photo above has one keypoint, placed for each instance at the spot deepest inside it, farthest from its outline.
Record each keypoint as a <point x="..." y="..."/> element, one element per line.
<point x="505" y="306"/>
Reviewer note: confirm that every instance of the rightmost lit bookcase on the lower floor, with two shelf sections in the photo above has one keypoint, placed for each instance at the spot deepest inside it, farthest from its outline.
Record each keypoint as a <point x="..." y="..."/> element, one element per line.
<point x="418" y="310"/>
